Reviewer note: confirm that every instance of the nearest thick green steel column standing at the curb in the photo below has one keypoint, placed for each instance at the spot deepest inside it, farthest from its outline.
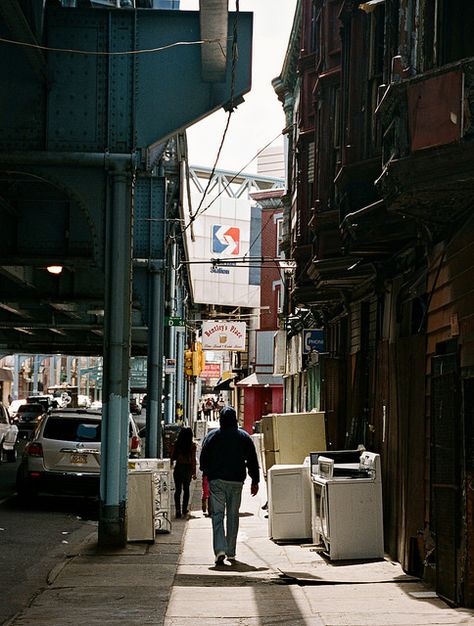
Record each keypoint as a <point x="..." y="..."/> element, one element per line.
<point x="117" y="341"/>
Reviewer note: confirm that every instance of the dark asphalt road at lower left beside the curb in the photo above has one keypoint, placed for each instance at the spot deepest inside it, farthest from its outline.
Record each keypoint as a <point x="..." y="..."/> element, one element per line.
<point x="34" y="538"/>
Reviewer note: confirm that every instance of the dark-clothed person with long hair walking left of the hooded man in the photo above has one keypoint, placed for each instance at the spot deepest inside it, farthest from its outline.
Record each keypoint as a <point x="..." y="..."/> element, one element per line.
<point x="183" y="459"/>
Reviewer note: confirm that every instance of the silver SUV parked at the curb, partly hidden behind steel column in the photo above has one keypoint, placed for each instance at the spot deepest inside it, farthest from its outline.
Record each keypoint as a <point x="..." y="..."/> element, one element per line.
<point x="63" y="455"/>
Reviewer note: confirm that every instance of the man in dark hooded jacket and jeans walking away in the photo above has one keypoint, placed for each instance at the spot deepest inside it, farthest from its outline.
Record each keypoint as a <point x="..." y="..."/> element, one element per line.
<point x="227" y="454"/>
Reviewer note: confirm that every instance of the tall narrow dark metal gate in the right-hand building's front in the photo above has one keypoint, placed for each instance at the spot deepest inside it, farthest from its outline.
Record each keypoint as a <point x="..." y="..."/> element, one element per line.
<point x="446" y="463"/>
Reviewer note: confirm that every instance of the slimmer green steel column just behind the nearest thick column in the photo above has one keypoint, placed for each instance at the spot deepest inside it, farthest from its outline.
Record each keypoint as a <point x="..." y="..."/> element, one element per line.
<point x="155" y="361"/>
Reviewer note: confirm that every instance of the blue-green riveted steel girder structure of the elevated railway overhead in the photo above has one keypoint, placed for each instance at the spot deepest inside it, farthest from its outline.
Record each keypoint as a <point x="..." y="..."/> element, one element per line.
<point x="65" y="118"/>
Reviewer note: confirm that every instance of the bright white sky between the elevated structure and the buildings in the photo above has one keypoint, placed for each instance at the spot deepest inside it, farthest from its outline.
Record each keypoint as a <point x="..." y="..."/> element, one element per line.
<point x="259" y="119"/>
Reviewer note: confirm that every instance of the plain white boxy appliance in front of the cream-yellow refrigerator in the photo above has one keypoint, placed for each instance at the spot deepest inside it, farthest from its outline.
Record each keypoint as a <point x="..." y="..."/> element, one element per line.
<point x="289" y="502"/>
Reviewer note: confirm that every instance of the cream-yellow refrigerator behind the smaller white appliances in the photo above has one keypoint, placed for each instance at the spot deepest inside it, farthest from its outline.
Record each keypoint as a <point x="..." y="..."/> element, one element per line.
<point x="288" y="438"/>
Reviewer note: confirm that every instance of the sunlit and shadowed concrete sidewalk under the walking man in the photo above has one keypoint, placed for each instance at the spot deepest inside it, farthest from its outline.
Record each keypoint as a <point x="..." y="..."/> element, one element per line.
<point x="174" y="582"/>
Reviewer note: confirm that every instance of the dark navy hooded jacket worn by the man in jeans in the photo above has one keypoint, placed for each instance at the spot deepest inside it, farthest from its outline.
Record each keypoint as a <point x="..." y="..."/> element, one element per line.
<point x="228" y="452"/>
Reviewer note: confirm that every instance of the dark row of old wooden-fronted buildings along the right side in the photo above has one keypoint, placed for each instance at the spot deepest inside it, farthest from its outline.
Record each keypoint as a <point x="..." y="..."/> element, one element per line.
<point x="379" y="101"/>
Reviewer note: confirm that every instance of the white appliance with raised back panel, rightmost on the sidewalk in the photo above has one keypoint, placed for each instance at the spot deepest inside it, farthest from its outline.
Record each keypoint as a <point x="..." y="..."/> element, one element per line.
<point x="346" y="494"/>
